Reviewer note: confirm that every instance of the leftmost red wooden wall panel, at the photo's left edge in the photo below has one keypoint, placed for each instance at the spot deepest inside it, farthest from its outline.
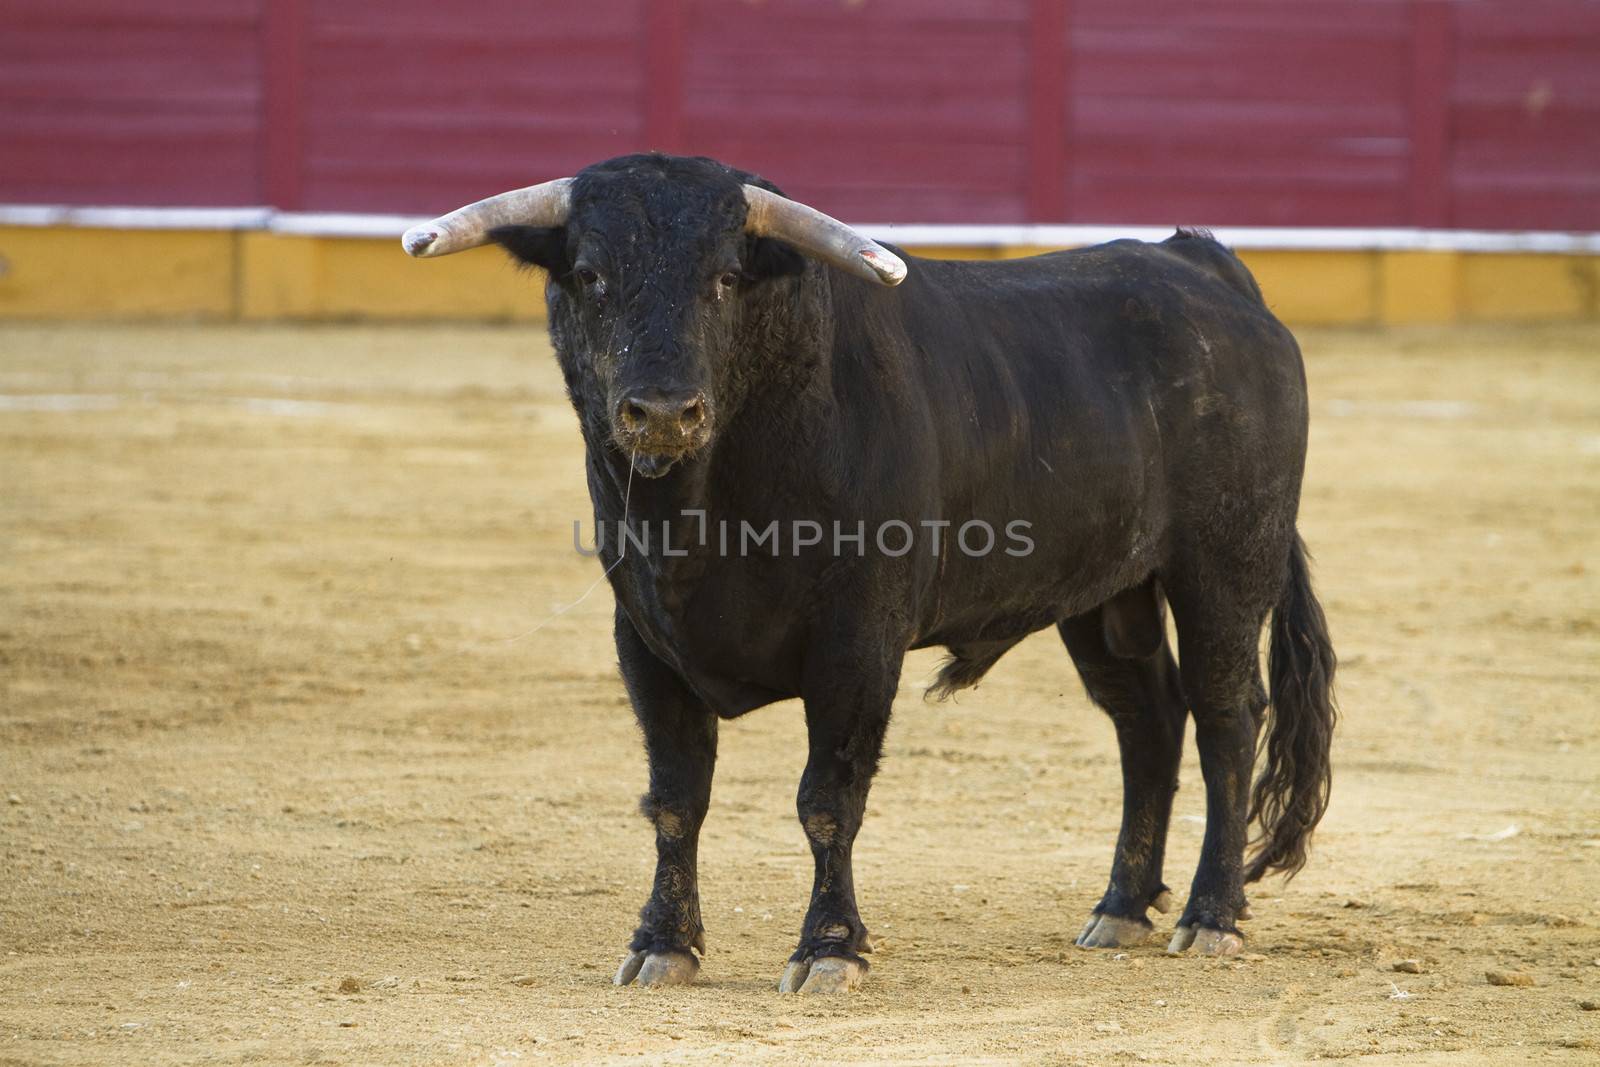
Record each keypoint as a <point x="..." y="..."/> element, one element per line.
<point x="118" y="102"/>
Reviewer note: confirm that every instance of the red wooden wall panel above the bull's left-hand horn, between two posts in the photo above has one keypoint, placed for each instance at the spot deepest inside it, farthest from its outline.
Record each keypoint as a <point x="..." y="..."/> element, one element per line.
<point x="414" y="108"/>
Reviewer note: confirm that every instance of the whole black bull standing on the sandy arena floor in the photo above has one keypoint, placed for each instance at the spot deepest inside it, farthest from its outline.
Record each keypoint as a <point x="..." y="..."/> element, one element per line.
<point x="1127" y="422"/>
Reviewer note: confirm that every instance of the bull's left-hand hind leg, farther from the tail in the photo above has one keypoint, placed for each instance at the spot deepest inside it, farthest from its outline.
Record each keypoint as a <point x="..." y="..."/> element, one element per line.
<point x="1121" y="652"/>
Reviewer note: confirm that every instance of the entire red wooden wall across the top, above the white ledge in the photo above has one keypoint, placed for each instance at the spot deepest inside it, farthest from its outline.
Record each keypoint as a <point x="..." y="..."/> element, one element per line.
<point x="1308" y="113"/>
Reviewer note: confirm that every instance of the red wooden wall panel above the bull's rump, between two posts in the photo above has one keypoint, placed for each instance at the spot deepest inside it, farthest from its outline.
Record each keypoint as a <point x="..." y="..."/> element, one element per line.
<point x="1239" y="113"/>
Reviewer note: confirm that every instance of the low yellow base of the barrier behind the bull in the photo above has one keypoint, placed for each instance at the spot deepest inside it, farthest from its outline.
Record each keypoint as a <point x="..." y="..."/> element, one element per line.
<point x="84" y="273"/>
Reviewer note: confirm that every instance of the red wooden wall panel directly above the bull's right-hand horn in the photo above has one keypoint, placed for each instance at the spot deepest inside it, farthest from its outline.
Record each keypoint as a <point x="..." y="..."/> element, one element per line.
<point x="892" y="111"/>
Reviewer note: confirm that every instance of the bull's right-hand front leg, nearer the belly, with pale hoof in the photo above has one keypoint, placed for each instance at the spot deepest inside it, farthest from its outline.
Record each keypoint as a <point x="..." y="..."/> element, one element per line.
<point x="847" y="709"/>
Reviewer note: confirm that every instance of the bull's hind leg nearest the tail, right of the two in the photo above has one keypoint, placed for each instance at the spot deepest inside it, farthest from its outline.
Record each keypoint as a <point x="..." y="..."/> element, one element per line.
<point x="1222" y="674"/>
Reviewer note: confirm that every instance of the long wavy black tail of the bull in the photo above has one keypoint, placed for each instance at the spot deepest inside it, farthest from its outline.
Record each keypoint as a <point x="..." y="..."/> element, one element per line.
<point x="1292" y="793"/>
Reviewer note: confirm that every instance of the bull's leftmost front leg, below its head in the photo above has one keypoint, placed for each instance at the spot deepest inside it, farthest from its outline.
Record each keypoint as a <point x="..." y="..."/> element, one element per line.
<point x="681" y="740"/>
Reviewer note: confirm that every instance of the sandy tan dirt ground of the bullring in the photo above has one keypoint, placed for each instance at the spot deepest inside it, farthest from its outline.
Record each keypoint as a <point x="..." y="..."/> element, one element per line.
<point x="289" y="773"/>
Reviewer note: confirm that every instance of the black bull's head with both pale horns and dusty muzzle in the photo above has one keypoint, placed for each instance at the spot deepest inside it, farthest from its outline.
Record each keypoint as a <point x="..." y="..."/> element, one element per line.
<point x="657" y="266"/>
